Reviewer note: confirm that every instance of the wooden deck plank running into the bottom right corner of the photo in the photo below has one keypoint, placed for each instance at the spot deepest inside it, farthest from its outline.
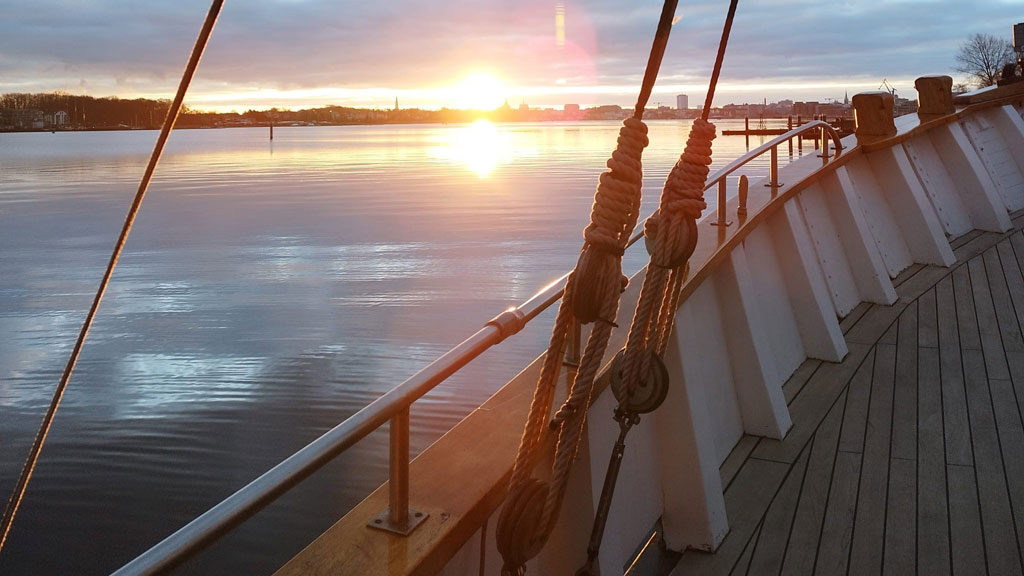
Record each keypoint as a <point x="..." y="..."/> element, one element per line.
<point x="1000" y="537"/>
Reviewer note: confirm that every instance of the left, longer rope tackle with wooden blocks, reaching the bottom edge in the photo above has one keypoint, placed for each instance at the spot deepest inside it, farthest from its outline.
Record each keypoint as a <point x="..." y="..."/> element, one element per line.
<point x="591" y="296"/>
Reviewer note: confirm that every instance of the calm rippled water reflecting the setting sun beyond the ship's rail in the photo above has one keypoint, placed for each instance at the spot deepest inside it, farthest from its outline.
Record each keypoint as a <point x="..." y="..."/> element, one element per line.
<point x="269" y="292"/>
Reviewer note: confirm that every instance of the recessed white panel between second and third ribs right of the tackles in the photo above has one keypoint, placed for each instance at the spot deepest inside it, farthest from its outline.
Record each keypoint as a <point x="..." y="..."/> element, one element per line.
<point x="773" y="302"/>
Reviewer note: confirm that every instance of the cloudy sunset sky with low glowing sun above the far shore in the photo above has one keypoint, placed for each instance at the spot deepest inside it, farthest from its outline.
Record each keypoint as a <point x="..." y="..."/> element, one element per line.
<point x="301" y="54"/>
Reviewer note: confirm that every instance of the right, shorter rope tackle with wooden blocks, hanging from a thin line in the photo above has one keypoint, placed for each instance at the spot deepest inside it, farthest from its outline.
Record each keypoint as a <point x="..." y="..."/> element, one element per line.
<point x="671" y="236"/>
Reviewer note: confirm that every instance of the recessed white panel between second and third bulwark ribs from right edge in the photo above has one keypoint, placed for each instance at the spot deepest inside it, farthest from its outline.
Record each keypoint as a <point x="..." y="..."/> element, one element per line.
<point x="938" y="186"/>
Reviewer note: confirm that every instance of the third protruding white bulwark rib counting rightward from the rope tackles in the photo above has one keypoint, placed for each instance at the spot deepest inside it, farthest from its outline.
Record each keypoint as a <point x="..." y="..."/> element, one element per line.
<point x="806" y="286"/>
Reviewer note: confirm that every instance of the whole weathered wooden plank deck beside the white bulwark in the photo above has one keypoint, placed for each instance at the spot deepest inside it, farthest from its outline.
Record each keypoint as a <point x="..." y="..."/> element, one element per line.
<point x="907" y="458"/>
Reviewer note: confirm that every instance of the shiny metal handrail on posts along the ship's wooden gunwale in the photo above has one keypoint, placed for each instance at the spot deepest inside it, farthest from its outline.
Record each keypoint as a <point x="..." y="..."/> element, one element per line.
<point x="394" y="407"/>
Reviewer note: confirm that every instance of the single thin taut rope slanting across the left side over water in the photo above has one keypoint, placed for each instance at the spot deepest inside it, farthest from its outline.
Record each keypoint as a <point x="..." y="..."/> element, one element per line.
<point x="173" y="115"/>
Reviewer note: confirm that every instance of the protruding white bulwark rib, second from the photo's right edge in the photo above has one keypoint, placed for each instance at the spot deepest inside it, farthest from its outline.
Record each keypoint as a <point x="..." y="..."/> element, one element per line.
<point x="970" y="180"/>
